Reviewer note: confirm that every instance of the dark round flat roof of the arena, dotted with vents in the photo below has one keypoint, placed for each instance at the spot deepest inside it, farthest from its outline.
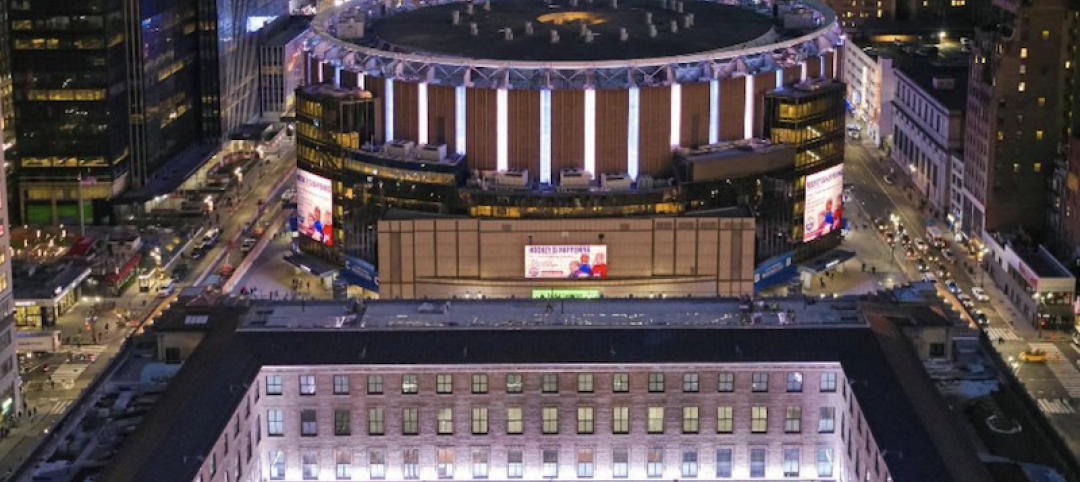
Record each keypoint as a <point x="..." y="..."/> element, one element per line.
<point x="431" y="31"/>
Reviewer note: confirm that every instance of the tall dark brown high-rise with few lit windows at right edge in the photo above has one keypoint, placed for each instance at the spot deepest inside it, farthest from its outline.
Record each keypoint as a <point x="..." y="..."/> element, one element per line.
<point x="1019" y="111"/>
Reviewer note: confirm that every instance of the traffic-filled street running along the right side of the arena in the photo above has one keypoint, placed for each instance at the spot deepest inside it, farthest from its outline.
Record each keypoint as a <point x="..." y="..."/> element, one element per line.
<point x="1056" y="385"/>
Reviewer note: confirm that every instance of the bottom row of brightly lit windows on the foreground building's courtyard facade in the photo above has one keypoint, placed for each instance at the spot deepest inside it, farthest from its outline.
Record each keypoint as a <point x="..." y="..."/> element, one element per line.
<point x="548" y="465"/>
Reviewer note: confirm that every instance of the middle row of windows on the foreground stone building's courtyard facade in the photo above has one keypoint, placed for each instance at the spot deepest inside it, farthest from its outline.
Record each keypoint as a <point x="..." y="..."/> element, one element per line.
<point x="512" y="421"/>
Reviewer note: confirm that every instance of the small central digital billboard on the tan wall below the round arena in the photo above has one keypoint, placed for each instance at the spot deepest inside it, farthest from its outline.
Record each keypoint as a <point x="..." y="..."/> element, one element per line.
<point x="566" y="261"/>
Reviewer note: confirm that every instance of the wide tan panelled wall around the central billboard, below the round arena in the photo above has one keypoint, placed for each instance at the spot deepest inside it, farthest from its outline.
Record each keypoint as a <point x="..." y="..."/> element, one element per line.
<point x="676" y="257"/>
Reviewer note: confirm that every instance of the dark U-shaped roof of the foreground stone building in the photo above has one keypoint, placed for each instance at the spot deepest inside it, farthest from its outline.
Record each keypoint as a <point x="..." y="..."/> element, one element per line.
<point x="903" y="411"/>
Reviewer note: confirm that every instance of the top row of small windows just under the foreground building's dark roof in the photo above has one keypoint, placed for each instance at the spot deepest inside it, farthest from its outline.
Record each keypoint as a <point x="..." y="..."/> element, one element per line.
<point x="550" y="383"/>
